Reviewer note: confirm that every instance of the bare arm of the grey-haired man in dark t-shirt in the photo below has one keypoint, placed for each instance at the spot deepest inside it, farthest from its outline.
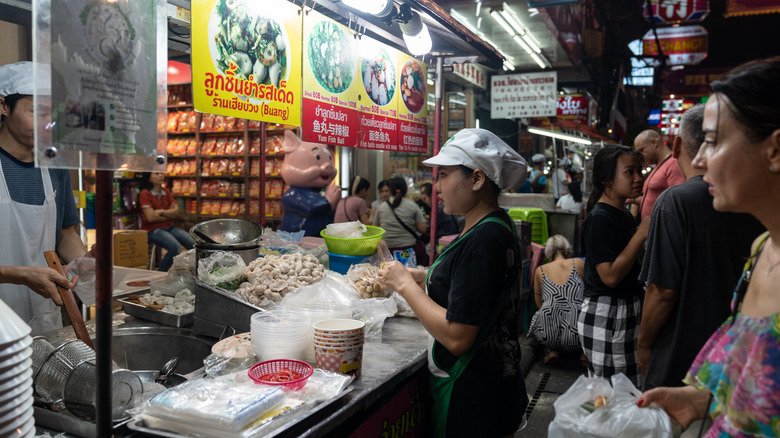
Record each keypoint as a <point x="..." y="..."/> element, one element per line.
<point x="658" y="307"/>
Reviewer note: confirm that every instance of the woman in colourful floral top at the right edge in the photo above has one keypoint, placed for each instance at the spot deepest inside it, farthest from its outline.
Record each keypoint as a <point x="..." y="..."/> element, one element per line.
<point x="736" y="376"/>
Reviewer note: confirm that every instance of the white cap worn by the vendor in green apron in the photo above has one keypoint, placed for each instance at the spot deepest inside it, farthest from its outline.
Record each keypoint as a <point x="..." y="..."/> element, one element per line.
<point x="481" y="149"/>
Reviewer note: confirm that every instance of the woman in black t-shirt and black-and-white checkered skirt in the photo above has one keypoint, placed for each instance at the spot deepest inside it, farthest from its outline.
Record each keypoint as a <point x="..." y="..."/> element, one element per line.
<point x="608" y="324"/>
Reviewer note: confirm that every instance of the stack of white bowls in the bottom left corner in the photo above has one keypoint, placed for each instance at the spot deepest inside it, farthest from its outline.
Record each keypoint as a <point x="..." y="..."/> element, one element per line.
<point x="16" y="399"/>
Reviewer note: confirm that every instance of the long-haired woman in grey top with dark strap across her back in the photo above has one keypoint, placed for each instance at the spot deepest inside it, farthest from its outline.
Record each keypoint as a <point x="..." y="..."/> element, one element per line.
<point x="402" y="221"/>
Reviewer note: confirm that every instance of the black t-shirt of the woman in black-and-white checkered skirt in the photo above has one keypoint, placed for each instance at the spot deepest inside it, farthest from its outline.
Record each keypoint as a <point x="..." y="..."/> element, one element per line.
<point x="607" y="231"/>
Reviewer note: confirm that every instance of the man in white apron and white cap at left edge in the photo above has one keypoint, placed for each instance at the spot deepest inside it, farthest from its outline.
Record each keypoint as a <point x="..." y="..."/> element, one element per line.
<point x="37" y="211"/>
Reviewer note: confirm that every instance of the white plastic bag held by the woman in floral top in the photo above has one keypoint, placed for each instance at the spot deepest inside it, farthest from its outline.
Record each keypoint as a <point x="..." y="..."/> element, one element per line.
<point x="579" y="413"/>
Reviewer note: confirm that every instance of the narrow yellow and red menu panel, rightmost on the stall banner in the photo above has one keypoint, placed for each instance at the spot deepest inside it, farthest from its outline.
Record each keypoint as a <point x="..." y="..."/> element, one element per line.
<point x="413" y="109"/>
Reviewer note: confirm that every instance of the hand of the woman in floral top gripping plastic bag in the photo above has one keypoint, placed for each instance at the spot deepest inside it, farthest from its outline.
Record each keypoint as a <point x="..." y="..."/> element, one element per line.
<point x="684" y="405"/>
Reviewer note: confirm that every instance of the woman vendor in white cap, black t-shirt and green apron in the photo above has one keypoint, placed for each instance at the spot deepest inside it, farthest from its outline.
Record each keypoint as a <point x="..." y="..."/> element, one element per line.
<point x="468" y="301"/>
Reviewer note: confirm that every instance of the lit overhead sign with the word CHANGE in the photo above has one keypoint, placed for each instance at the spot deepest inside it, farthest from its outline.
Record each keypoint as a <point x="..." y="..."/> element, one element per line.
<point x="685" y="45"/>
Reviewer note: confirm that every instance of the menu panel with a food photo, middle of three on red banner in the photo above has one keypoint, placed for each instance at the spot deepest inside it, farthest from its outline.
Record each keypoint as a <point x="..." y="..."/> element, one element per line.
<point x="378" y="96"/>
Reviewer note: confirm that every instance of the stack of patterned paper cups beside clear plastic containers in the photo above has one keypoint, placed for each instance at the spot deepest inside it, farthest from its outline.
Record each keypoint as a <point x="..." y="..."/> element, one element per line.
<point x="338" y="345"/>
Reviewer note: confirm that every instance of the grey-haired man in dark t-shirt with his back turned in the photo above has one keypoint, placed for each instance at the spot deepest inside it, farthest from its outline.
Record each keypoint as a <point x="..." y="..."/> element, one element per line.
<point x="693" y="260"/>
